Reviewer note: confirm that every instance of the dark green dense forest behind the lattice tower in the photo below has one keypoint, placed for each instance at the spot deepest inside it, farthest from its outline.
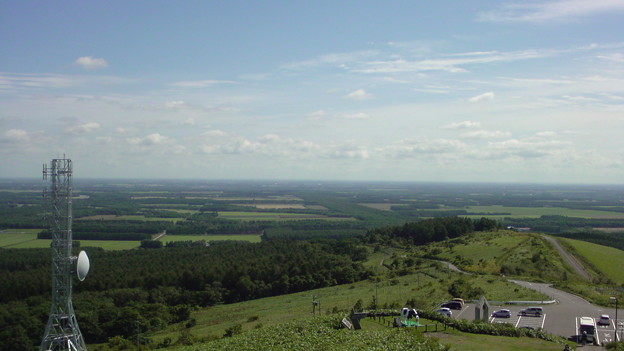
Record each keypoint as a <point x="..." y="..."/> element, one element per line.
<point x="158" y="287"/>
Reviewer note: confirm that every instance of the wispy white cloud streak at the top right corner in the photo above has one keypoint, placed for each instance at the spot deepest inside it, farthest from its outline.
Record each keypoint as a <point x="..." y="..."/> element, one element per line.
<point x="549" y="11"/>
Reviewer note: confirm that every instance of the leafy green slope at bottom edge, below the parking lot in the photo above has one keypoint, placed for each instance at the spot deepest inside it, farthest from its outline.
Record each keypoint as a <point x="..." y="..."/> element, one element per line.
<point x="325" y="334"/>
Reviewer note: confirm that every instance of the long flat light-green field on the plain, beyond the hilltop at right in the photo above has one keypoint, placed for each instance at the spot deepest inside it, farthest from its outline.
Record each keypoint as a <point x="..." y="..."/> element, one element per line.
<point x="536" y="212"/>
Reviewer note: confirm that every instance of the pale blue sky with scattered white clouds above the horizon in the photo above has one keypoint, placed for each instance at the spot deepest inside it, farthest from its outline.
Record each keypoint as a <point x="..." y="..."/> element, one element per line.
<point x="444" y="91"/>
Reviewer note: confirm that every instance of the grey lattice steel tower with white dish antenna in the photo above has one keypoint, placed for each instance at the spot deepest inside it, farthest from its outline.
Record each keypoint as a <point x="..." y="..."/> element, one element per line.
<point x="62" y="332"/>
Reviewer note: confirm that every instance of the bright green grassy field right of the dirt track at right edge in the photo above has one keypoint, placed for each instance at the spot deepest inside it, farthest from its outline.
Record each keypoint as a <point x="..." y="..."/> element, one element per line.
<point x="607" y="260"/>
